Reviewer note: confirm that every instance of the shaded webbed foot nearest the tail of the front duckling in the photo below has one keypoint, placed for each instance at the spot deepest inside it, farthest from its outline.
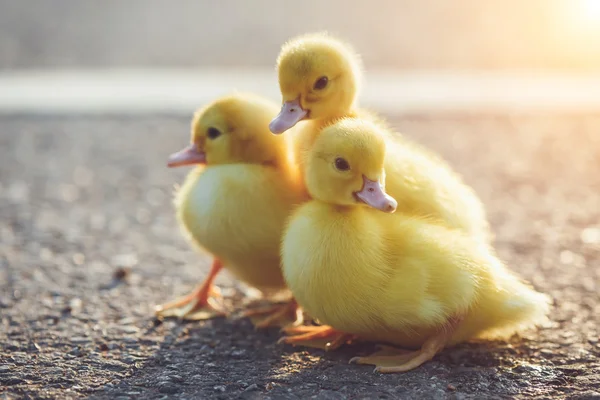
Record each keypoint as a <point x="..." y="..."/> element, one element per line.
<point x="393" y="360"/>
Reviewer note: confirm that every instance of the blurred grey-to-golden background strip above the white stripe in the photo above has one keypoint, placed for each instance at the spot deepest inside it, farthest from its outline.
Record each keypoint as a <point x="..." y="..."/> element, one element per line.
<point x="390" y="34"/>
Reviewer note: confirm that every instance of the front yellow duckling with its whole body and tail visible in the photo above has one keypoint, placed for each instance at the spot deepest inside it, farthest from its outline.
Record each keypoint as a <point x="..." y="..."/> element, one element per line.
<point x="365" y="271"/>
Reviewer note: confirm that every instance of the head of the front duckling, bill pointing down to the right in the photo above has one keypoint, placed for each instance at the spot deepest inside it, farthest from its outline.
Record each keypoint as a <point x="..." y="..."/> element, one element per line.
<point x="345" y="166"/>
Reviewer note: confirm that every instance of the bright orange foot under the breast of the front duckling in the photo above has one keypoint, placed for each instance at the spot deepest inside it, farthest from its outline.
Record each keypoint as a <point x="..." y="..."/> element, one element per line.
<point x="321" y="337"/>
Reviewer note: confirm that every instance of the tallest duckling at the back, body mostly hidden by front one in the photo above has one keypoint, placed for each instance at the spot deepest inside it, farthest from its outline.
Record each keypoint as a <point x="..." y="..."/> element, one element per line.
<point x="319" y="78"/>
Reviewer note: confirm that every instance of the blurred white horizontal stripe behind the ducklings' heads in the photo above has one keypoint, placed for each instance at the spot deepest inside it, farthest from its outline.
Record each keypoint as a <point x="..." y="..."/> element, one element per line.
<point x="125" y="91"/>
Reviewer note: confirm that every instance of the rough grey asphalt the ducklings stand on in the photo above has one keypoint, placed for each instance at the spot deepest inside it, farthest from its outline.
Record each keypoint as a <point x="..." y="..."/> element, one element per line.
<point x="83" y="198"/>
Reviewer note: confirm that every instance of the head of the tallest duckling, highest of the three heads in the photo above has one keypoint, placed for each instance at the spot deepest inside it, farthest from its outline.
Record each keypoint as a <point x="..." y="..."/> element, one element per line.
<point x="318" y="78"/>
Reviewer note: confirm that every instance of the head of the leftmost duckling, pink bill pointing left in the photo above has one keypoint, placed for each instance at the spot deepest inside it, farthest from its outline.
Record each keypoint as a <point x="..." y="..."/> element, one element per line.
<point x="233" y="130"/>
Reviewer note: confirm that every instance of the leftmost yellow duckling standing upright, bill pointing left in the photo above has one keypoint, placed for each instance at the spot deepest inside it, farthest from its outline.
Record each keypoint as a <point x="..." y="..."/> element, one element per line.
<point x="235" y="203"/>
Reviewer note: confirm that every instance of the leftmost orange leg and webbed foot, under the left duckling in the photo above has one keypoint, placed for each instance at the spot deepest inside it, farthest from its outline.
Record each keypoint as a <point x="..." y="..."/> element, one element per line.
<point x="197" y="305"/>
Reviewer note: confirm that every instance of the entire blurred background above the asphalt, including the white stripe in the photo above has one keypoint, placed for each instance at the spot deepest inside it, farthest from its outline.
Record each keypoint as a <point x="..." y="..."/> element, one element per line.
<point x="432" y="55"/>
